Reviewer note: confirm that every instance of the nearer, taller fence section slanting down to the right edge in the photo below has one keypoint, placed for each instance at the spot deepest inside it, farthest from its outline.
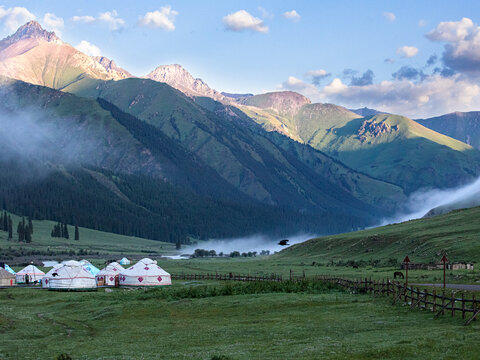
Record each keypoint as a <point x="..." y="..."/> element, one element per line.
<point x="439" y="303"/>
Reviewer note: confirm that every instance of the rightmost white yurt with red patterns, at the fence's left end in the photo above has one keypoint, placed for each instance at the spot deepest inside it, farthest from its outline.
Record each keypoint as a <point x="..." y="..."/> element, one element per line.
<point x="145" y="273"/>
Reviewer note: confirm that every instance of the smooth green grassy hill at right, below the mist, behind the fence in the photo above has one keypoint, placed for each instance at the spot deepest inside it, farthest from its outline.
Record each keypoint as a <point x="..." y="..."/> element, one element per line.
<point x="424" y="240"/>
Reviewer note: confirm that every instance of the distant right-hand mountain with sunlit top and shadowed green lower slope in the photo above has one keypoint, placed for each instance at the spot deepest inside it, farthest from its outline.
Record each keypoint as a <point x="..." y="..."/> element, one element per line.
<point x="388" y="147"/>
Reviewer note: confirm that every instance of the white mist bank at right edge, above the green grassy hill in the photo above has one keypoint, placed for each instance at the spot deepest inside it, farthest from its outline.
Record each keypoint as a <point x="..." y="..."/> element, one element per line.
<point x="435" y="202"/>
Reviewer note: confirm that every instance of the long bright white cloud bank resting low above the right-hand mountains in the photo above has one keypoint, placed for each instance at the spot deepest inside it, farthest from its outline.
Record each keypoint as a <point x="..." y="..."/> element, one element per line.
<point x="434" y="95"/>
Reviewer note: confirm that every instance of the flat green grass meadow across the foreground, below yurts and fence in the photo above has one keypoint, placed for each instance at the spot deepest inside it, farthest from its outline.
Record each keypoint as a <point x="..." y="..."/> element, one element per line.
<point x="328" y="323"/>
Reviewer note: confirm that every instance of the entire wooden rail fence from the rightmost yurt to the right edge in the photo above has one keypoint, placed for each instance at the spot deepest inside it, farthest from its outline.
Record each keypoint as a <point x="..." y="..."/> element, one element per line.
<point x="439" y="303"/>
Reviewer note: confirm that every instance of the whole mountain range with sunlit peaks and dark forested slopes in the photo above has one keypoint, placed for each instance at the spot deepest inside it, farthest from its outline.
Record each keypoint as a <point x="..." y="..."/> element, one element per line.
<point x="294" y="165"/>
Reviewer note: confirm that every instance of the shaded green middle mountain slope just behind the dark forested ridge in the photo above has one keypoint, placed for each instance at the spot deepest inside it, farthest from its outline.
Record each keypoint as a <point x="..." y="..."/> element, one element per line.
<point x="247" y="158"/>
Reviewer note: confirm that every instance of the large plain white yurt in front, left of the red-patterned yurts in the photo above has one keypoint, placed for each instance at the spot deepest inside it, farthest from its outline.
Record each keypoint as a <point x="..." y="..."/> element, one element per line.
<point x="71" y="276"/>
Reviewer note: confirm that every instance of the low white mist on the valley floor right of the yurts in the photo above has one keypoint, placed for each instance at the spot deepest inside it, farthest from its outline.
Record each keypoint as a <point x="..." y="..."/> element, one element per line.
<point x="245" y="244"/>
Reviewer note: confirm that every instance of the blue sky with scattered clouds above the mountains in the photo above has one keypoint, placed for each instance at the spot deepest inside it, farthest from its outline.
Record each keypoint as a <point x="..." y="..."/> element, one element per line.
<point x="415" y="58"/>
